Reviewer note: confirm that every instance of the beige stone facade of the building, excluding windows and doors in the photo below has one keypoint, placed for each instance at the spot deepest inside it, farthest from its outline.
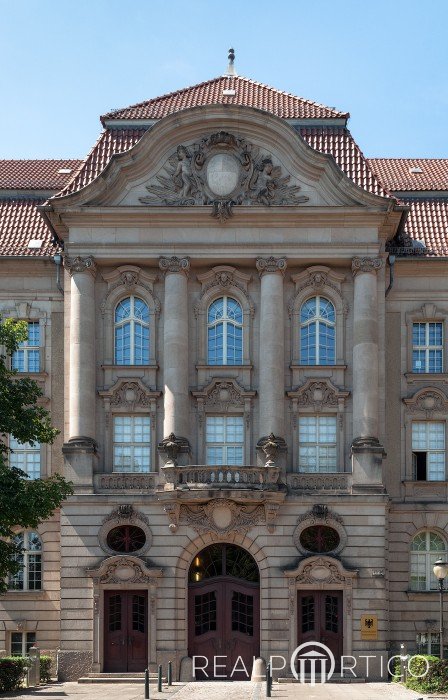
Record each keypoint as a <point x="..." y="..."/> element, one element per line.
<point x="270" y="250"/>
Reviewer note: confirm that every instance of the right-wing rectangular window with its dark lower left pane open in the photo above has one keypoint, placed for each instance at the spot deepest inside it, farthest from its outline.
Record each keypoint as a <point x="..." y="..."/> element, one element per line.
<point x="428" y="450"/>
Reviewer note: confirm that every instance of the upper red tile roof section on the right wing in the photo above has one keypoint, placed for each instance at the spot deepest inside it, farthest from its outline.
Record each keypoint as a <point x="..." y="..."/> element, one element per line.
<point x="396" y="175"/>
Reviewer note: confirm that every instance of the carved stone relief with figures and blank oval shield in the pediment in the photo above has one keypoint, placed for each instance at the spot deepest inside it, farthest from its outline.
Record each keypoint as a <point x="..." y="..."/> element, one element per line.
<point x="222" y="170"/>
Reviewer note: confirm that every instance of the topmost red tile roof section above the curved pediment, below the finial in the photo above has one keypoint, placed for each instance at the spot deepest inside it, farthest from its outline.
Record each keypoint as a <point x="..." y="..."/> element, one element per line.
<point x="248" y="93"/>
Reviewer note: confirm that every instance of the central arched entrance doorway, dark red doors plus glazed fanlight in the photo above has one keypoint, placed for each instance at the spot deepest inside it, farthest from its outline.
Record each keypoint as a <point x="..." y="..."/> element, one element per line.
<point x="224" y="612"/>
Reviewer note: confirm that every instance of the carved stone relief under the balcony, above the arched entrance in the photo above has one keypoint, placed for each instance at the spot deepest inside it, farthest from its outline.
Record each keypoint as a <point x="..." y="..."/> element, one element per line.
<point x="221" y="517"/>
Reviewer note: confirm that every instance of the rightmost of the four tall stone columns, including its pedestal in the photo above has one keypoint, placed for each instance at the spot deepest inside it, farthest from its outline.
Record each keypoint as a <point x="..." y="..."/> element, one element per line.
<point x="367" y="452"/>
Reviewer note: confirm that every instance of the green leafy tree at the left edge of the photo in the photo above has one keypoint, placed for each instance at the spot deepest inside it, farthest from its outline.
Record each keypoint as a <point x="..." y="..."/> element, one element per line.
<point x="23" y="502"/>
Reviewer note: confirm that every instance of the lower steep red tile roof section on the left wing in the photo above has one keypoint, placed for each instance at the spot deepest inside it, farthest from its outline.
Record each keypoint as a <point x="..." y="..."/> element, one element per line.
<point x="19" y="223"/>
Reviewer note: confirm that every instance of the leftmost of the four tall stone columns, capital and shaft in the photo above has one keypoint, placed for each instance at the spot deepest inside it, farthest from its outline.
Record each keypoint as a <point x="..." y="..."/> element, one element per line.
<point x="82" y="348"/>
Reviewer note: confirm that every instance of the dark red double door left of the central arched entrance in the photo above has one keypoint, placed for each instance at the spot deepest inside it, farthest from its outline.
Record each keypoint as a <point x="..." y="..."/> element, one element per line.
<point x="125" y="631"/>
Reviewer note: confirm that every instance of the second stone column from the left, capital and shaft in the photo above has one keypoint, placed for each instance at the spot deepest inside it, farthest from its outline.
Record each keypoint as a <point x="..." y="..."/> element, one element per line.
<point x="175" y="346"/>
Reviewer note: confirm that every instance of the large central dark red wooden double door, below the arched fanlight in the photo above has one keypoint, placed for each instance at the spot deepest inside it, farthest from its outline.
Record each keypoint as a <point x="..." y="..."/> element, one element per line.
<point x="224" y="628"/>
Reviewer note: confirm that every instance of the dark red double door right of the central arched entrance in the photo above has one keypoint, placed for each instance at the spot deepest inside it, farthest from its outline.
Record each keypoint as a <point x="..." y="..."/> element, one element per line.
<point x="320" y="620"/>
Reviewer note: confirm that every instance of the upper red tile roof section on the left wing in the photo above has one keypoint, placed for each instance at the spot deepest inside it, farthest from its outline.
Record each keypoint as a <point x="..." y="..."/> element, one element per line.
<point x="35" y="174"/>
